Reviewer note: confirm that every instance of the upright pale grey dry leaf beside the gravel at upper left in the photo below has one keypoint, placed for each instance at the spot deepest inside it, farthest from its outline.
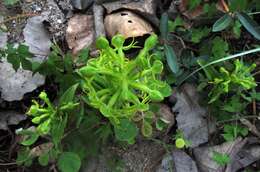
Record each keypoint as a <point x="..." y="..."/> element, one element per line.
<point x="36" y="37"/>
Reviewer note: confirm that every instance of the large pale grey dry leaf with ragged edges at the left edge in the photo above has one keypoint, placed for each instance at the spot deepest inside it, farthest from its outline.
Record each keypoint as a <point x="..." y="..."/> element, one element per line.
<point x="14" y="84"/>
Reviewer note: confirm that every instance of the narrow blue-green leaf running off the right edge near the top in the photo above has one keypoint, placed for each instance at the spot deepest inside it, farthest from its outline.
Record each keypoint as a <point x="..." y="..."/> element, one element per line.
<point x="250" y="25"/>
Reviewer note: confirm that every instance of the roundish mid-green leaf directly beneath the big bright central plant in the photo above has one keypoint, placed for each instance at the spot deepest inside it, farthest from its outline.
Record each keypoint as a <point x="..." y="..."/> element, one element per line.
<point x="126" y="131"/>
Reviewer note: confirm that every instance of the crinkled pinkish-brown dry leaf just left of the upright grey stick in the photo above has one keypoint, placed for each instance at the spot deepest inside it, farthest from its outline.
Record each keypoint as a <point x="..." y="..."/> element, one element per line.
<point x="80" y="32"/>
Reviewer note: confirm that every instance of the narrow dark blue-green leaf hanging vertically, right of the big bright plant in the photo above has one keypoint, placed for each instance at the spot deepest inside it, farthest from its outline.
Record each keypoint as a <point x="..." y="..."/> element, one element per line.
<point x="171" y="59"/>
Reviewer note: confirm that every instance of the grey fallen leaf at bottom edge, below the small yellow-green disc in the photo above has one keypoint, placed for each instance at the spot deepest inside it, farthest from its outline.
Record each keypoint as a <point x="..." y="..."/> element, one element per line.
<point x="177" y="161"/>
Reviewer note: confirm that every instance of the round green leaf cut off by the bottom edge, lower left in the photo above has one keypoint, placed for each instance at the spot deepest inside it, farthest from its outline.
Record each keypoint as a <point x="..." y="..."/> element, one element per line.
<point x="69" y="162"/>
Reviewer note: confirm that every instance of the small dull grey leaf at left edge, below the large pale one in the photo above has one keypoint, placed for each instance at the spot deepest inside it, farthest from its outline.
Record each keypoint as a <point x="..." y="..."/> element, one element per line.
<point x="10" y="118"/>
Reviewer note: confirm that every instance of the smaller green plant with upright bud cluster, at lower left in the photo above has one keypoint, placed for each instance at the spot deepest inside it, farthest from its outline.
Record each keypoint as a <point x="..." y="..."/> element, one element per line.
<point x="51" y="122"/>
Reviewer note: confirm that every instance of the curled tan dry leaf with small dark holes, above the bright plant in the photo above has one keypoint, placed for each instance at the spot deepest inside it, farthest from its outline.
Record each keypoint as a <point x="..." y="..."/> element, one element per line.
<point x="126" y="23"/>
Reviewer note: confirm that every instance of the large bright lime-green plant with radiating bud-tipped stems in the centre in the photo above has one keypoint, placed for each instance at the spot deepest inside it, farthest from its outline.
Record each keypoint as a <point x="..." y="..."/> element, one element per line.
<point x="121" y="88"/>
